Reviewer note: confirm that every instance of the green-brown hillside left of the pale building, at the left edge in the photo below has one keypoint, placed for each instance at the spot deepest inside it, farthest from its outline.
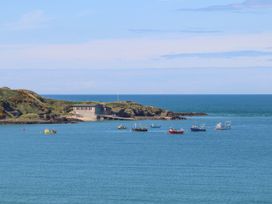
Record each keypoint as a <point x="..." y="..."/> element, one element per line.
<point x="25" y="105"/>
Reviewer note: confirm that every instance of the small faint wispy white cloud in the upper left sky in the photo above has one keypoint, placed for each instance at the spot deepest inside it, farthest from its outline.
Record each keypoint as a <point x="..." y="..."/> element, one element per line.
<point x="31" y="20"/>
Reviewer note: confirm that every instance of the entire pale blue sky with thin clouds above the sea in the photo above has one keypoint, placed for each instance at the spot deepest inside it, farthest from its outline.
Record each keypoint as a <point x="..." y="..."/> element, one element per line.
<point x="137" y="47"/>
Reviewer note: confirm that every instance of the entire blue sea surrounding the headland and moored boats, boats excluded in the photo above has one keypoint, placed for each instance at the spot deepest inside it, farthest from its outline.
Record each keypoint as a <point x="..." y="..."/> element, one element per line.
<point x="93" y="162"/>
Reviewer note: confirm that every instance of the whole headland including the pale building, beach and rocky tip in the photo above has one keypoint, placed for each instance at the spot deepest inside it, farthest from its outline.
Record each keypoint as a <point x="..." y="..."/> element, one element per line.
<point x="21" y="106"/>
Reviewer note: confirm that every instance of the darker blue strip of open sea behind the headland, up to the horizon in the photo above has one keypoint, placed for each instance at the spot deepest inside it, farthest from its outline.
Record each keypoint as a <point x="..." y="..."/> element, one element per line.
<point x="243" y="105"/>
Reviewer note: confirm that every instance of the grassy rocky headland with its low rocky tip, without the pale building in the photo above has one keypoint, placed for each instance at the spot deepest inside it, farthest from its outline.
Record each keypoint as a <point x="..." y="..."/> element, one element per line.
<point x="24" y="106"/>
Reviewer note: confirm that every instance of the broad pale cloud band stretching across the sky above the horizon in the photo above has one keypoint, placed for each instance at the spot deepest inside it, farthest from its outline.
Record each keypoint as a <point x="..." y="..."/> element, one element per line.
<point x="137" y="53"/>
